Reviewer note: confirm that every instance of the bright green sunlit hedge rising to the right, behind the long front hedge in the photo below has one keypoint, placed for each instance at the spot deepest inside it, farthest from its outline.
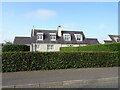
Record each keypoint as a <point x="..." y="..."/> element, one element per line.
<point x="100" y="47"/>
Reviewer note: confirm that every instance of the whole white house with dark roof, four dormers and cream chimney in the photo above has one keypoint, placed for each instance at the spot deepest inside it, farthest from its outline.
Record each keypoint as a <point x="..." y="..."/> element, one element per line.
<point x="52" y="40"/>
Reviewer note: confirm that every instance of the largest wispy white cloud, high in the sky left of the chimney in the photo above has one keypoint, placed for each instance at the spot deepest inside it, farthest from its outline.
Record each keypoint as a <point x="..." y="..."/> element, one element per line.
<point x="41" y="14"/>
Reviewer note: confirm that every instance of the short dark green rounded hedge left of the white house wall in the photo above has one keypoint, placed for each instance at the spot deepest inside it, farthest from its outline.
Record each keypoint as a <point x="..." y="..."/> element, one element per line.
<point x="15" y="47"/>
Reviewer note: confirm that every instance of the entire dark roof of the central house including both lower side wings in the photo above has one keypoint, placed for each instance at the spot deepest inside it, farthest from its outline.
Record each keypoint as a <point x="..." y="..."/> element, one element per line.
<point x="59" y="40"/>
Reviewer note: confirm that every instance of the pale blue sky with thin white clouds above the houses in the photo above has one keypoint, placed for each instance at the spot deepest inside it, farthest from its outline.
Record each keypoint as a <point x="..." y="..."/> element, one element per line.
<point x="95" y="19"/>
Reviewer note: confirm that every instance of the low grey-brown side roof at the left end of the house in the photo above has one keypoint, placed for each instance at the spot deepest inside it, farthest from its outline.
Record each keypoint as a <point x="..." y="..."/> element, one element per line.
<point x="22" y="40"/>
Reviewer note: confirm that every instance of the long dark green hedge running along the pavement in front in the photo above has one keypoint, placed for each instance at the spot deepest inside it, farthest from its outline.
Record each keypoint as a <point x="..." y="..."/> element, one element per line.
<point x="29" y="61"/>
